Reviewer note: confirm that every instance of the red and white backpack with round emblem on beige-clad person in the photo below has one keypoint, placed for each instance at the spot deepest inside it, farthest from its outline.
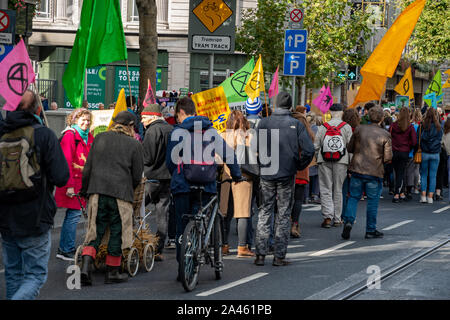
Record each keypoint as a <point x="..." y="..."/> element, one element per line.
<point x="333" y="146"/>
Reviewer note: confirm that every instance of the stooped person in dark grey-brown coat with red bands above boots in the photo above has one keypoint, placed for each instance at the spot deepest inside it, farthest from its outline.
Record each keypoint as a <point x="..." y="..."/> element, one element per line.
<point x="113" y="170"/>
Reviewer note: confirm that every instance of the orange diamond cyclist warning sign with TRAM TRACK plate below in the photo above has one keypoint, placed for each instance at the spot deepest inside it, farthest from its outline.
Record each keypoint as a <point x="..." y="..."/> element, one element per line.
<point x="212" y="26"/>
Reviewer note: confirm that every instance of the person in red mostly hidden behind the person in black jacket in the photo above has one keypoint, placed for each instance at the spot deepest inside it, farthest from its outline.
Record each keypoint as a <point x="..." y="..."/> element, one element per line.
<point x="301" y="178"/>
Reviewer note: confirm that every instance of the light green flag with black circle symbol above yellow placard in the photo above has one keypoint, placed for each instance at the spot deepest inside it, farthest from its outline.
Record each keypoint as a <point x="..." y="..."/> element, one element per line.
<point x="234" y="86"/>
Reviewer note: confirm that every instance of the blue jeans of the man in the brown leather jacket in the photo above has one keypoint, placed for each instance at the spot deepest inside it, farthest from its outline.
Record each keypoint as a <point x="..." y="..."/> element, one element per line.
<point x="373" y="188"/>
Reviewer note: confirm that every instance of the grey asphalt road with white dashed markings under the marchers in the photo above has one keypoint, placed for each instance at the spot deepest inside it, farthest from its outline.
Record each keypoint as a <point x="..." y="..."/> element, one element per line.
<point x="322" y="264"/>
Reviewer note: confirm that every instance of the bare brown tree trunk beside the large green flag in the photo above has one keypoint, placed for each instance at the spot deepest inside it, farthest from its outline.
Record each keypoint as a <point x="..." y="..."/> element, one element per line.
<point x="148" y="46"/>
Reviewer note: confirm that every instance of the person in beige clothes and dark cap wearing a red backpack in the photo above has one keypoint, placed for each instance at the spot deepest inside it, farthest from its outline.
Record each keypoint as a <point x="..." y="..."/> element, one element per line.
<point x="332" y="156"/>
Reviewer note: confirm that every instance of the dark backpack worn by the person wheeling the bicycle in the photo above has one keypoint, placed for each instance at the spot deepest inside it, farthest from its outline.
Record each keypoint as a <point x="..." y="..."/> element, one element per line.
<point x="199" y="171"/>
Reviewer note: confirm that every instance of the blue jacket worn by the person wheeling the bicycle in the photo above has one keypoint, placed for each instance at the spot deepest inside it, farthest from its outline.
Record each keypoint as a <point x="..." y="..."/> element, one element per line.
<point x="178" y="183"/>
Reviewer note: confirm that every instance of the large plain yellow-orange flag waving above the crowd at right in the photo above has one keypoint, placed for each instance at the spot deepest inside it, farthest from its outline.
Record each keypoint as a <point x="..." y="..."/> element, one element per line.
<point x="384" y="59"/>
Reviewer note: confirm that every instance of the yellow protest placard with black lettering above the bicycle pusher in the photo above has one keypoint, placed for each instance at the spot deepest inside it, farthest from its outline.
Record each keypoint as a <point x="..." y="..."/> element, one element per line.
<point x="213" y="104"/>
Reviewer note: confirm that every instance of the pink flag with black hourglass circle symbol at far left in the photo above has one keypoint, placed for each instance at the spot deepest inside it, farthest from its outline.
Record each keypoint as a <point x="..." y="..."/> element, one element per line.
<point x="16" y="74"/>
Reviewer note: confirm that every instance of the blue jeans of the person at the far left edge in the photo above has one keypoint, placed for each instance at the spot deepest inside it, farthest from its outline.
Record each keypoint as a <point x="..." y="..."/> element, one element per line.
<point x="26" y="265"/>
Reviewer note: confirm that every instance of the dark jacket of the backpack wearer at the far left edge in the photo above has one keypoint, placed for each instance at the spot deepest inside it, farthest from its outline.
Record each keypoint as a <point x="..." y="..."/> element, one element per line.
<point x="27" y="219"/>
